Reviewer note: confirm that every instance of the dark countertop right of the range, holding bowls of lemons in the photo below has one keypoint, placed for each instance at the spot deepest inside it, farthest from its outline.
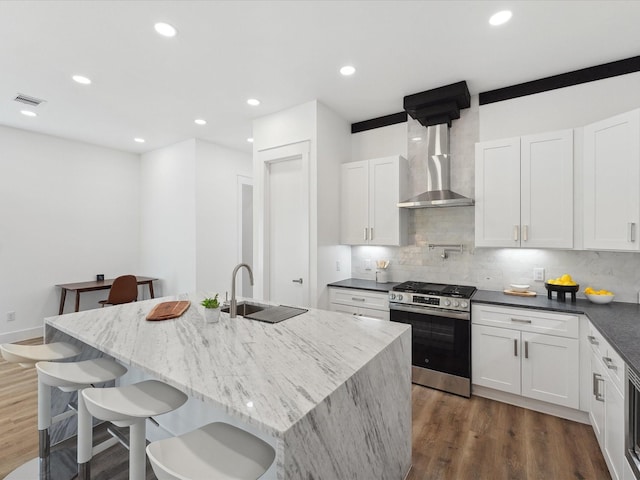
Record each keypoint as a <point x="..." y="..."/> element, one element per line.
<point x="619" y="323"/>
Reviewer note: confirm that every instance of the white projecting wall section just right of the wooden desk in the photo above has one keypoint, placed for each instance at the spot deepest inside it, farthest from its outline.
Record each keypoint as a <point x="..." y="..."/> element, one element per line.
<point x="168" y="217"/>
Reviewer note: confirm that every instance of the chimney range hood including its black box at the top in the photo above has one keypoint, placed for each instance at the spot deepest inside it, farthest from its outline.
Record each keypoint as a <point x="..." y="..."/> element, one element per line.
<point x="435" y="109"/>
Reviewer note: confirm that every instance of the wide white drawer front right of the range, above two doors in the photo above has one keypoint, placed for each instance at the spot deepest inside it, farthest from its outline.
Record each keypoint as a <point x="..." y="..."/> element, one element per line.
<point x="526" y="320"/>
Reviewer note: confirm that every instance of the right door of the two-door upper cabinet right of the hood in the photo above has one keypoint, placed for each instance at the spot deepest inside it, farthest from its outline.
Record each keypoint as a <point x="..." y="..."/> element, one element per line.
<point x="546" y="193"/>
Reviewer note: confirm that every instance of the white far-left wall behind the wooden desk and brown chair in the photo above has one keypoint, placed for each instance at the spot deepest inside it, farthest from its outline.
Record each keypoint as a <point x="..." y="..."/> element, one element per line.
<point x="68" y="211"/>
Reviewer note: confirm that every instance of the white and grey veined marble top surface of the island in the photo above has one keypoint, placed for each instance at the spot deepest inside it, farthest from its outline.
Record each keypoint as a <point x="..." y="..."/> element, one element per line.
<point x="281" y="371"/>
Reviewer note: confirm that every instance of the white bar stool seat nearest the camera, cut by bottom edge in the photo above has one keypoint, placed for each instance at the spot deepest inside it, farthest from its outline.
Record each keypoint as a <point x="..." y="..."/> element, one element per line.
<point x="216" y="451"/>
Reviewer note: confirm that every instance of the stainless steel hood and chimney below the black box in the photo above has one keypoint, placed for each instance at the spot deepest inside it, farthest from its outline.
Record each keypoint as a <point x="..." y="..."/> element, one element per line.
<point x="438" y="192"/>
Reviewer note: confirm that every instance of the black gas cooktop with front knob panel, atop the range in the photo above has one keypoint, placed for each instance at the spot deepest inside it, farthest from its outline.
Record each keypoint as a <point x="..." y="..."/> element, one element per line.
<point x="432" y="295"/>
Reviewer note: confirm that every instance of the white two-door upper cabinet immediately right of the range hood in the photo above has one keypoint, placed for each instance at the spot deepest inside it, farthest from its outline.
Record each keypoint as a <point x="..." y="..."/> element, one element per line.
<point x="524" y="191"/>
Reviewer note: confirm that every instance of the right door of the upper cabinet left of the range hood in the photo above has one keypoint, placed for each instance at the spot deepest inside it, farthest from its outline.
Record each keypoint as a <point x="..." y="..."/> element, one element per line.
<point x="384" y="214"/>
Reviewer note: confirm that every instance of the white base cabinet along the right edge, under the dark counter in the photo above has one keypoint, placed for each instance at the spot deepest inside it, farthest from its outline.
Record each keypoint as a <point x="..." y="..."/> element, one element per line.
<point x="606" y="410"/>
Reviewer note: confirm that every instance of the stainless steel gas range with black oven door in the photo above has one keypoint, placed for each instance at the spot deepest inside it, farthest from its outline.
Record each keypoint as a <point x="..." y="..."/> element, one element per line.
<point x="440" y="317"/>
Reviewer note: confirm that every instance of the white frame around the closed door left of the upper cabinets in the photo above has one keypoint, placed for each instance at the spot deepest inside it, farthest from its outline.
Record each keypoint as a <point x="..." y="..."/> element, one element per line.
<point x="262" y="223"/>
